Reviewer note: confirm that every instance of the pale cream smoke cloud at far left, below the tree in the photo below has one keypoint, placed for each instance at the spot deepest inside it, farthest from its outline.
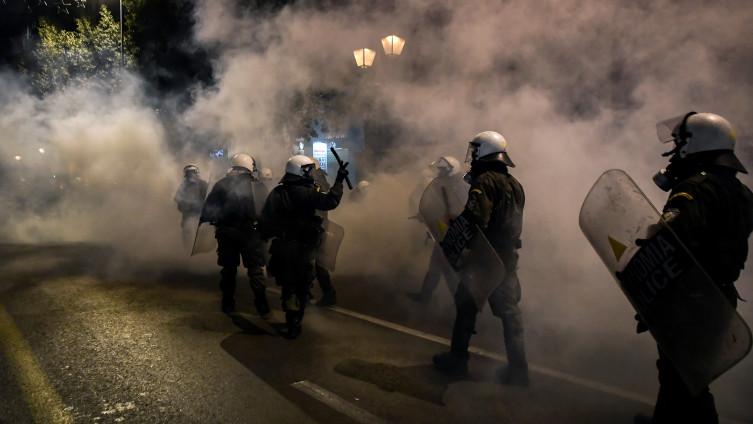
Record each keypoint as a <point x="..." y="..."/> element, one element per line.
<point x="105" y="174"/>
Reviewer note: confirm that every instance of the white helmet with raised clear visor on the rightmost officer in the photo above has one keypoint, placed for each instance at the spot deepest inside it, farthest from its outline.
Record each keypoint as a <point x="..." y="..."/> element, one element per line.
<point x="695" y="133"/>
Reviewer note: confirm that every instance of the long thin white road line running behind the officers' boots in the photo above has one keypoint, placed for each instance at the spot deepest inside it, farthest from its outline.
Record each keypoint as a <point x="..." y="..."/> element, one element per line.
<point x="549" y="372"/>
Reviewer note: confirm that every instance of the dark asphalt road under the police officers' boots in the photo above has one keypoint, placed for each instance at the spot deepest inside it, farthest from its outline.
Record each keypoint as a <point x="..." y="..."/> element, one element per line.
<point x="86" y="338"/>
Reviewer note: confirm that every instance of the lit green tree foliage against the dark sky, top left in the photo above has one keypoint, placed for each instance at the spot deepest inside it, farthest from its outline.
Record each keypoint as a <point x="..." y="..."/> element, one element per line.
<point x="89" y="53"/>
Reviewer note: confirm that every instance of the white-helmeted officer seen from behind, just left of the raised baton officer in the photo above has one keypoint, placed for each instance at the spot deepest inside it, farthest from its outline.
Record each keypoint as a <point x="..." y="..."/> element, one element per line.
<point x="232" y="208"/>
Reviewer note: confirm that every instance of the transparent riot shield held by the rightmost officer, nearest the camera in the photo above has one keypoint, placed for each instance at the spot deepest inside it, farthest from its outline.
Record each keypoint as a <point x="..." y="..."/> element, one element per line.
<point x="687" y="314"/>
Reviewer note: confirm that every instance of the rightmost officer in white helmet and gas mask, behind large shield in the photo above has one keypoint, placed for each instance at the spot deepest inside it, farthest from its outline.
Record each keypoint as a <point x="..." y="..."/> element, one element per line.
<point x="711" y="212"/>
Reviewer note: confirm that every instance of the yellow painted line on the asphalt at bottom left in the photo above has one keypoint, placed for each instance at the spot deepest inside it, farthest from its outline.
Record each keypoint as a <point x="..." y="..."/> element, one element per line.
<point x="45" y="404"/>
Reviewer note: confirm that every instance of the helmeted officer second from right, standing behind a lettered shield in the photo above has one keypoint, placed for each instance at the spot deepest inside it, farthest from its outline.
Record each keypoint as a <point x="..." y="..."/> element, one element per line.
<point x="495" y="204"/>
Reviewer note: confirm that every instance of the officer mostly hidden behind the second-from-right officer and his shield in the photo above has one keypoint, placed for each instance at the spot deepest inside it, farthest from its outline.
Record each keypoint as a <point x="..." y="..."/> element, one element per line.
<point x="450" y="176"/>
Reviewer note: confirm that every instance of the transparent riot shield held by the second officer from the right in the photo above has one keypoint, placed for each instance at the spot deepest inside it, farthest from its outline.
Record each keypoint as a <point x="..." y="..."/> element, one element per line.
<point x="481" y="269"/>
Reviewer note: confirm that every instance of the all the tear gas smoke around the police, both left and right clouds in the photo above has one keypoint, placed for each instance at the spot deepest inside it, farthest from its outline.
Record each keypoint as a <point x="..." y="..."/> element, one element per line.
<point x="575" y="86"/>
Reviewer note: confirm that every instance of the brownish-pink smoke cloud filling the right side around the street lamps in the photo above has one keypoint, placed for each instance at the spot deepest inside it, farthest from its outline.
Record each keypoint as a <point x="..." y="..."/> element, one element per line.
<point x="575" y="86"/>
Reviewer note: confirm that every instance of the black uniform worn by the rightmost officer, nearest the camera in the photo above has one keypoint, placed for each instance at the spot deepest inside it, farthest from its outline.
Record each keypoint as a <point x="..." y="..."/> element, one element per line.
<point x="712" y="213"/>
